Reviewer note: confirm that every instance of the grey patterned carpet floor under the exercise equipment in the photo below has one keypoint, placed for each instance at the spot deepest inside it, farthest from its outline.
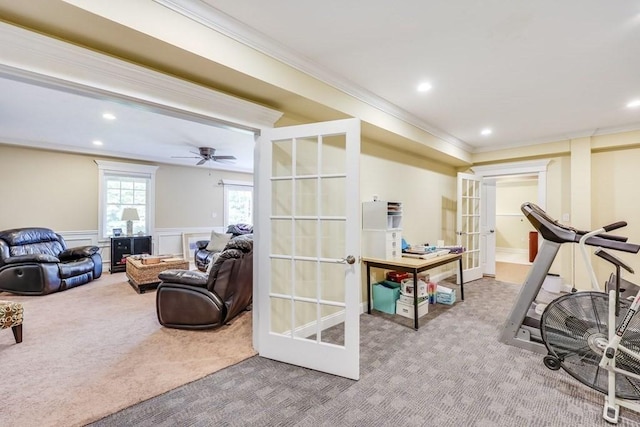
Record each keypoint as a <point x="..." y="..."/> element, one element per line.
<point x="451" y="372"/>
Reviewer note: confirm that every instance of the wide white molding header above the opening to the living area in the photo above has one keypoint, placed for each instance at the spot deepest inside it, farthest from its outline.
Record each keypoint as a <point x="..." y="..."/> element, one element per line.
<point x="47" y="61"/>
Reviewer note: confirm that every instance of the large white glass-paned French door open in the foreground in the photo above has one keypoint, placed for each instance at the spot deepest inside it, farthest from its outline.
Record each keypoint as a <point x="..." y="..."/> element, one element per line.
<point x="308" y="280"/>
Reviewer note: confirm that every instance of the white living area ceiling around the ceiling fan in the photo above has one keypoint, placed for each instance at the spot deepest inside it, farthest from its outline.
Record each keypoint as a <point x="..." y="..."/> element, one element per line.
<point x="45" y="117"/>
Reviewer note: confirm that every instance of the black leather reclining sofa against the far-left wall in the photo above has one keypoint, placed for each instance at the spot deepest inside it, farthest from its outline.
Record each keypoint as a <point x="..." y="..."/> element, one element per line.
<point x="36" y="261"/>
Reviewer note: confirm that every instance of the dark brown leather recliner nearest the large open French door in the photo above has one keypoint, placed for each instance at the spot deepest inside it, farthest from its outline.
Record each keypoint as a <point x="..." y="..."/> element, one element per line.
<point x="194" y="300"/>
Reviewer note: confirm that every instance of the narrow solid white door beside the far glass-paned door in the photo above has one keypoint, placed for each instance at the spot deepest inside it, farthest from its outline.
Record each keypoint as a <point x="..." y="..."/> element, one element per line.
<point x="488" y="227"/>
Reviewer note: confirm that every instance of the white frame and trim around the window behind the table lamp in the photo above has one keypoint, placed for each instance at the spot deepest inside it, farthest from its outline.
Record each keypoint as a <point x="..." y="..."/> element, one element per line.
<point x="132" y="170"/>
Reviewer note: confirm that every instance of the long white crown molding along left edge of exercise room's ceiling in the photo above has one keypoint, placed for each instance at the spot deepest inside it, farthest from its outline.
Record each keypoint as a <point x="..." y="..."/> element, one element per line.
<point x="207" y="15"/>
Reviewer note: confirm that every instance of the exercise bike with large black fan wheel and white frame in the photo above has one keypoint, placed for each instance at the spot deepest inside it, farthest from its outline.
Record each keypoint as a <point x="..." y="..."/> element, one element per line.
<point x="595" y="336"/>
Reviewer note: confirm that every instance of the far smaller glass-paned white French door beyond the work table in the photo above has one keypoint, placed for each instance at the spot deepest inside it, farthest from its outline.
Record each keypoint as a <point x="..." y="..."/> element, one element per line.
<point x="468" y="225"/>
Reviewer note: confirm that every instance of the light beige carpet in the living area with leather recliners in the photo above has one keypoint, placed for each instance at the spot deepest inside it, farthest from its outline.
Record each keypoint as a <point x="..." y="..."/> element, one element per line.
<point x="90" y="351"/>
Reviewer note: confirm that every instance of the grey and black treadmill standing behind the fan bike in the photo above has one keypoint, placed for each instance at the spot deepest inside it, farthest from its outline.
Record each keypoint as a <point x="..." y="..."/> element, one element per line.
<point x="522" y="327"/>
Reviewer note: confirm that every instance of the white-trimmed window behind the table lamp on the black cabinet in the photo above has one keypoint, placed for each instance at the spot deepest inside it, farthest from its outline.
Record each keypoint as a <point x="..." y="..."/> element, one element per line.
<point x="125" y="185"/>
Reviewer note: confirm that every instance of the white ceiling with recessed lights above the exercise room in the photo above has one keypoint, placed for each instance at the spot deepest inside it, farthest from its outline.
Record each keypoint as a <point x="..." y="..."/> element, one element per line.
<point x="532" y="71"/>
